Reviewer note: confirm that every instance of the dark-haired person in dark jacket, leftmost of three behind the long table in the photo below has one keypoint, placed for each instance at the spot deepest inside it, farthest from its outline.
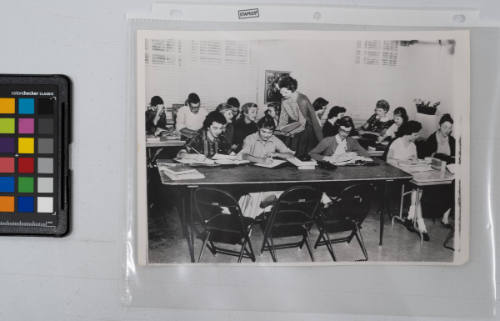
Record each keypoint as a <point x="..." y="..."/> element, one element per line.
<point x="207" y="142"/>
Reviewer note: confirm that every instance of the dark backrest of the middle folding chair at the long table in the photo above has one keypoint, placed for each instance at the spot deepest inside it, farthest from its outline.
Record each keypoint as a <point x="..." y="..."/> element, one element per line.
<point x="295" y="206"/>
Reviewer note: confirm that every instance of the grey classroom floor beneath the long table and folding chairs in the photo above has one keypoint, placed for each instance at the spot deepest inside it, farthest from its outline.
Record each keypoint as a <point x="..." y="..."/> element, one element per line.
<point x="167" y="244"/>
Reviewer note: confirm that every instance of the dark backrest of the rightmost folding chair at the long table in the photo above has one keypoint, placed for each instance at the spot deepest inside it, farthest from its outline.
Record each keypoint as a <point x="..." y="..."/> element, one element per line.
<point x="354" y="202"/>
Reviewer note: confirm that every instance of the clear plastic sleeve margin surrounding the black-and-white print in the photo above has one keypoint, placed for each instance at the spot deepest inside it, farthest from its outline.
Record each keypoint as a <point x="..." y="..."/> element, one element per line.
<point x="466" y="288"/>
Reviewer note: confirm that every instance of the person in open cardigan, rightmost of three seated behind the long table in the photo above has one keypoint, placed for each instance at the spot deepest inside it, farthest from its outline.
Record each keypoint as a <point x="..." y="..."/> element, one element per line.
<point x="338" y="148"/>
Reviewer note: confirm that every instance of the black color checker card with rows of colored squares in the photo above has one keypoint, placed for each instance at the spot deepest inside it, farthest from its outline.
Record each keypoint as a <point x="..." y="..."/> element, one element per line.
<point x="35" y="177"/>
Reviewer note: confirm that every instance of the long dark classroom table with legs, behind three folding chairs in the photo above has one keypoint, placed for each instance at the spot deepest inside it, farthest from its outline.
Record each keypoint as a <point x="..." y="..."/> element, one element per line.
<point x="249" y="178"/>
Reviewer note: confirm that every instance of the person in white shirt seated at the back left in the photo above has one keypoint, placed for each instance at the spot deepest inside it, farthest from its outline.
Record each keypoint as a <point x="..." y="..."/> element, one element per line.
<point x="190" y="117"/>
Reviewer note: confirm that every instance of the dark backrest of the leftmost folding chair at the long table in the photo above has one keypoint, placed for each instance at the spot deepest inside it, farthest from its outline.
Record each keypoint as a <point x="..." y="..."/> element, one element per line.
<point x="211" y="202"/>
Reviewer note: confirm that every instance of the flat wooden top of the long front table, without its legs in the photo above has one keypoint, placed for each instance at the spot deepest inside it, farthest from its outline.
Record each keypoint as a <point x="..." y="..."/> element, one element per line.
<point x="289" y="174"/>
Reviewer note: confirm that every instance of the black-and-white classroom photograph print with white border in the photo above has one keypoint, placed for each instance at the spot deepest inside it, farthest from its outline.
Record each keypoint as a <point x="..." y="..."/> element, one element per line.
<point x="302" y="147"/>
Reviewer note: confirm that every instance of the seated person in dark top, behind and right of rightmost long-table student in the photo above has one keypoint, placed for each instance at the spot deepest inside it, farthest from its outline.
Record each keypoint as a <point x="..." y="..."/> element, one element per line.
<point x="376" y="125"/>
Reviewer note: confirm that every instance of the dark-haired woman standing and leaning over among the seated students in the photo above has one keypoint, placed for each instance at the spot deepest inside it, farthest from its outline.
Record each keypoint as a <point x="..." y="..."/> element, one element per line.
<point x="298" y="121"/>
